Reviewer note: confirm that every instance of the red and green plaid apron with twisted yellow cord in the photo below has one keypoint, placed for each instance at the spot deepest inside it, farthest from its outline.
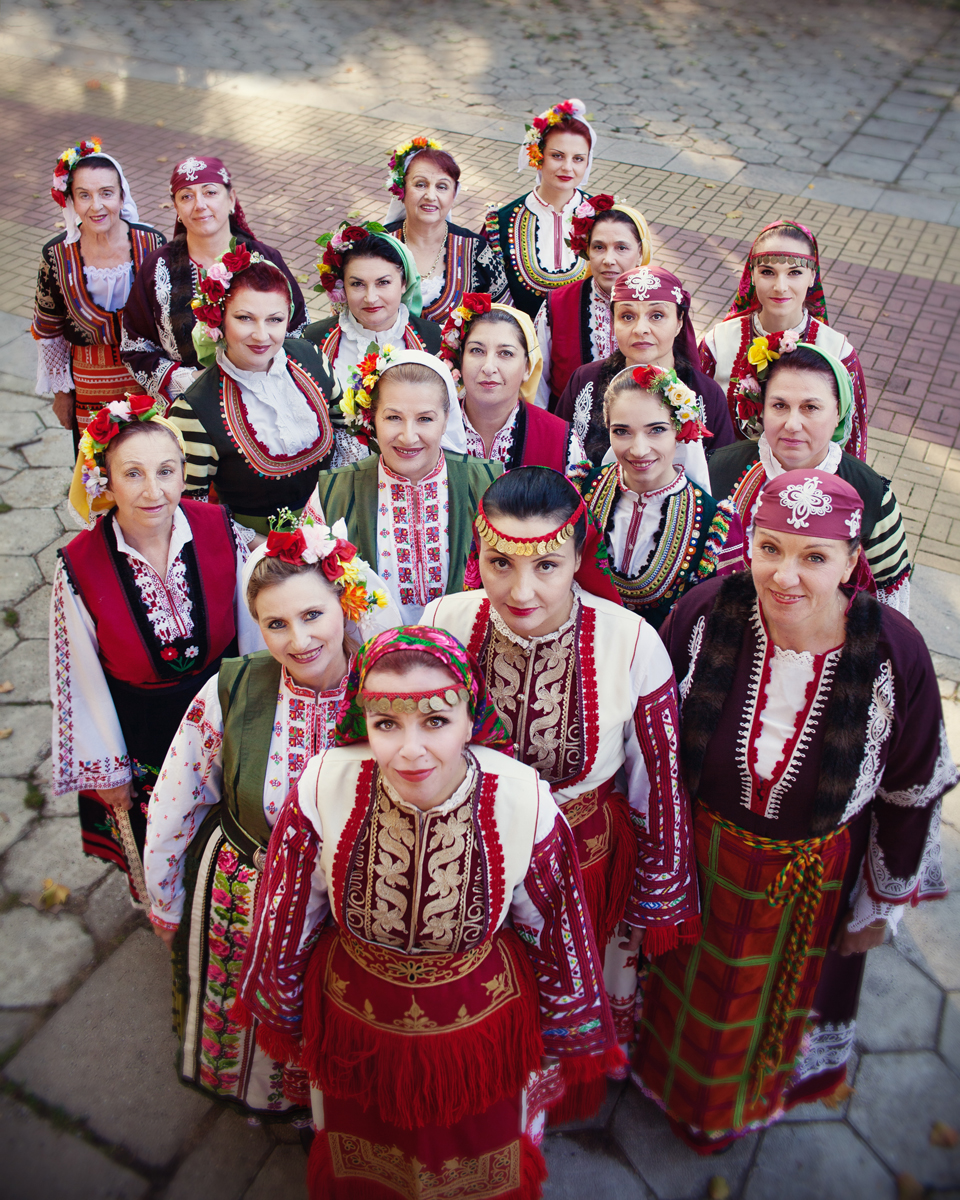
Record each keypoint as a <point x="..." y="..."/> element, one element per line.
<point x="723" y="1021"/>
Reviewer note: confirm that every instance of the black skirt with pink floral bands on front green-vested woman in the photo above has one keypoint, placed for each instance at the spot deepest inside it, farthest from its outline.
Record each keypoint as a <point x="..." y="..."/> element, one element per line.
<point x="218" y="1057"/>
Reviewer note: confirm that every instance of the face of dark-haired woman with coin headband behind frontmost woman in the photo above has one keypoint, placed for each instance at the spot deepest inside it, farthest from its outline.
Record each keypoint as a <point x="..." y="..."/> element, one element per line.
<point x="533" y="593"/>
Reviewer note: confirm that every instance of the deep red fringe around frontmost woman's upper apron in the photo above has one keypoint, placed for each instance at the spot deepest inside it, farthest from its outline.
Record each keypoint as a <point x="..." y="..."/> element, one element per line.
<point x="422" y="1079"/>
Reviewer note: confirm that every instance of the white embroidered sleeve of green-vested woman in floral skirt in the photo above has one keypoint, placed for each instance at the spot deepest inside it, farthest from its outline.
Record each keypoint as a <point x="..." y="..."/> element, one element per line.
<point x="188" y="787"/>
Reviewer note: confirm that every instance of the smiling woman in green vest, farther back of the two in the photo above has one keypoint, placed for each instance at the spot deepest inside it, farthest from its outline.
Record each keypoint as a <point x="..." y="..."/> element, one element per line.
<point x="410" y="507"/>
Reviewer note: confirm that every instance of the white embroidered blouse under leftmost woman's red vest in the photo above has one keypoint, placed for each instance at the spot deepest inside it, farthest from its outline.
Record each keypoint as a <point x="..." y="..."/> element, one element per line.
<point x="86" y="729"/>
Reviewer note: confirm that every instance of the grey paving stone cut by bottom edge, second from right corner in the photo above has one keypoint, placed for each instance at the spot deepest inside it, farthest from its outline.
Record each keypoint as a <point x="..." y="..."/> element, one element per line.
<point x="827" y="1162"/>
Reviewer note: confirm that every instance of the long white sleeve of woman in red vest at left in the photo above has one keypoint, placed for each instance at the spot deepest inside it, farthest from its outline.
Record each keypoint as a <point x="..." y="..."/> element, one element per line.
<point x="89" y="751"/>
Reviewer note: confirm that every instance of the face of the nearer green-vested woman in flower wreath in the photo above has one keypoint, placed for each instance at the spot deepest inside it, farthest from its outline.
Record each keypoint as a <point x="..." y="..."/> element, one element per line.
<point x="302" y="622"/>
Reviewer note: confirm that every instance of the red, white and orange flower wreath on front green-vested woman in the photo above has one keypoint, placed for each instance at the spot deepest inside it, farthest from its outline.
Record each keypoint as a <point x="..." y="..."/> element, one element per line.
<point x="315" y="543"/>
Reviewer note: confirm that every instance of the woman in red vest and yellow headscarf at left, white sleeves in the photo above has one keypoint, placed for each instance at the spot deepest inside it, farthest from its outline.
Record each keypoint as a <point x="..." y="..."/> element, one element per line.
<point x="146" y="603"/>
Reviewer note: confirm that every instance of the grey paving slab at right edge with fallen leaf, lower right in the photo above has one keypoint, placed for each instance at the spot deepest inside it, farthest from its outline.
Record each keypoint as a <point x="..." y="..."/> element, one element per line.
<point x="899" y="1097"/>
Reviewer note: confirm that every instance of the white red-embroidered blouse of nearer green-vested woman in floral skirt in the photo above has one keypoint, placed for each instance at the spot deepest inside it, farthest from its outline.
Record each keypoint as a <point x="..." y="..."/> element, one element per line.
<point x="190" y="779"/>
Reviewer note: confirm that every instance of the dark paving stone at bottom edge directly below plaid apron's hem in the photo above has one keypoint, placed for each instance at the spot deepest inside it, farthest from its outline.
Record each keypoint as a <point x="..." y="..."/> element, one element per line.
<point x="669" y="1167"/>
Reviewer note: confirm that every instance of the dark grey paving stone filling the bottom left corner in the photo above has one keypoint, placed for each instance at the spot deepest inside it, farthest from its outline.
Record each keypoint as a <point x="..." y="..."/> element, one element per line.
<point x="40" y="1161"/>
